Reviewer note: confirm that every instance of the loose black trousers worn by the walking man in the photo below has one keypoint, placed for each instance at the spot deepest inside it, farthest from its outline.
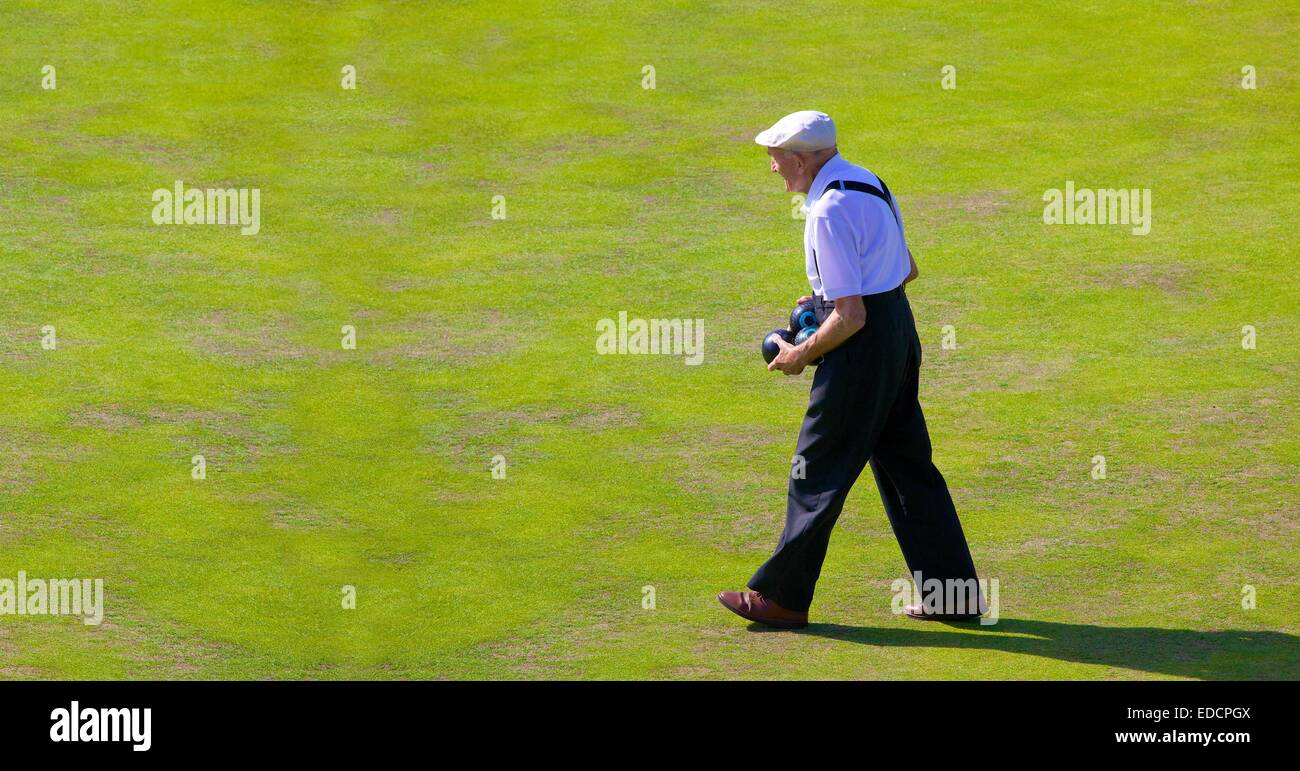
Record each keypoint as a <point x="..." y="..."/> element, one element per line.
<point x="864" y="409"/>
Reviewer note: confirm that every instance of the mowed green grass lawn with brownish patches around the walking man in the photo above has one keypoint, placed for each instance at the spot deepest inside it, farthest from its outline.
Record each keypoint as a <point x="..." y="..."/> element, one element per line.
<point x="476" y="336"/>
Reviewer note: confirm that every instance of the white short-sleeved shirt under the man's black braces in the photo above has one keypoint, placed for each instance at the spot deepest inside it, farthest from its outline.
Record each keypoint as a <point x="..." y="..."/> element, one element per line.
<point x="852" y="242"/>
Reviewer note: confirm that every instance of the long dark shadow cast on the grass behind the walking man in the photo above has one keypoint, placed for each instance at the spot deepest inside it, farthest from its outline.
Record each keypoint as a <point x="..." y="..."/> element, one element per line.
<point x="1232" y="655"/>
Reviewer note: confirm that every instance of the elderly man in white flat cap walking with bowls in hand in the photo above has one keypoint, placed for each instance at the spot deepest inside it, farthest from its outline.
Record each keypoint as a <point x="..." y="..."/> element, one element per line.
<point x="864" y="406"/>
